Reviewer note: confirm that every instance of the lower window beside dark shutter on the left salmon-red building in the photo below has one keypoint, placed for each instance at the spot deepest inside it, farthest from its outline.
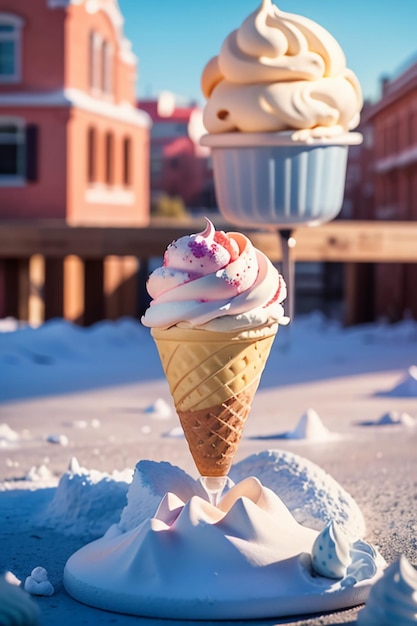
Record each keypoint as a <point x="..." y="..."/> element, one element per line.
<point x="12" y="151"/>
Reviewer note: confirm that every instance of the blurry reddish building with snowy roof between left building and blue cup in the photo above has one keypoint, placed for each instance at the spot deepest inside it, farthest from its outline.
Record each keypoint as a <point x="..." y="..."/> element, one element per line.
<point x="179" y="165"/>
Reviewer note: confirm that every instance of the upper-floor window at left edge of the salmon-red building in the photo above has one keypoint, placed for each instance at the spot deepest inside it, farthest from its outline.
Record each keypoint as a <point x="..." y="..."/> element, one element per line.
<point x="10" y="48"/>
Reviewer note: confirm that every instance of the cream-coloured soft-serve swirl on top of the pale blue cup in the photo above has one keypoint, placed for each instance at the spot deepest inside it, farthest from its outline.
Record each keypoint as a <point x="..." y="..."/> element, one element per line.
<point x="280" y="71"/>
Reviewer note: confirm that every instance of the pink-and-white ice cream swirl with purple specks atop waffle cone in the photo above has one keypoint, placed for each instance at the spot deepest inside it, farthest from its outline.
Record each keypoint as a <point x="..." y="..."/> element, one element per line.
<point x="217" y="280"/>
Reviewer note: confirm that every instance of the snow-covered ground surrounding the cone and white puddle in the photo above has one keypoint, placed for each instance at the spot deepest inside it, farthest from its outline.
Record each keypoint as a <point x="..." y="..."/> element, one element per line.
<point x="344" y="400"/>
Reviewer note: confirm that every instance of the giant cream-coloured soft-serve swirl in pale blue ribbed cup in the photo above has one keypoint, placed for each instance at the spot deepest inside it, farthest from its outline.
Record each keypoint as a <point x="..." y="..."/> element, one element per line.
<point x="281" y="105"/>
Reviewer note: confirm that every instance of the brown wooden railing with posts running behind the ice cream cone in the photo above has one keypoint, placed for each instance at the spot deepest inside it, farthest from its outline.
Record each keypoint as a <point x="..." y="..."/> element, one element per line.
<point x="86" y="274"/>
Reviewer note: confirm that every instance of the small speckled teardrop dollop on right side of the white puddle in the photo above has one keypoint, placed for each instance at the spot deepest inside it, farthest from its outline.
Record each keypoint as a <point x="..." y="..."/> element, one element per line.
<point x="331" y="552"/>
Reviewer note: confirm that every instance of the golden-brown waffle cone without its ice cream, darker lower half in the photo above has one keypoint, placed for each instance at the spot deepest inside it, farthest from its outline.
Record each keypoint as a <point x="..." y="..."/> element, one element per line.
<point x="213" y="377"/>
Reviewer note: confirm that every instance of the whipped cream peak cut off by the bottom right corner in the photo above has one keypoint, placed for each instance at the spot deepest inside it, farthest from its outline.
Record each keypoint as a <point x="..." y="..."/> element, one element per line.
<point x="393" y="598"/>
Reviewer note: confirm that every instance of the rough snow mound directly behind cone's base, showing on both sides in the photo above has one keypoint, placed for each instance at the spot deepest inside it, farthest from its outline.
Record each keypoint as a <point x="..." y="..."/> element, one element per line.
<point x="313" y="497"/>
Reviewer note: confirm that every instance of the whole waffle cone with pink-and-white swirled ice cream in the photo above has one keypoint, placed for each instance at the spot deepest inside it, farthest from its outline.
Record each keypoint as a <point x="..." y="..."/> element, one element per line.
<point x="215" y="310"/>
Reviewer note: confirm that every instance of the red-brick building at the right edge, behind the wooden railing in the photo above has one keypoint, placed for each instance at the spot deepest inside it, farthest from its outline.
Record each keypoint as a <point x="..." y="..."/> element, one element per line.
<point x="391" y="124"/>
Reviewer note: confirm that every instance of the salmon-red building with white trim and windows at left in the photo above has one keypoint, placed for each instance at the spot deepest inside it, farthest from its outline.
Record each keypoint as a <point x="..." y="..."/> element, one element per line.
<point x="73" y="145"/>
